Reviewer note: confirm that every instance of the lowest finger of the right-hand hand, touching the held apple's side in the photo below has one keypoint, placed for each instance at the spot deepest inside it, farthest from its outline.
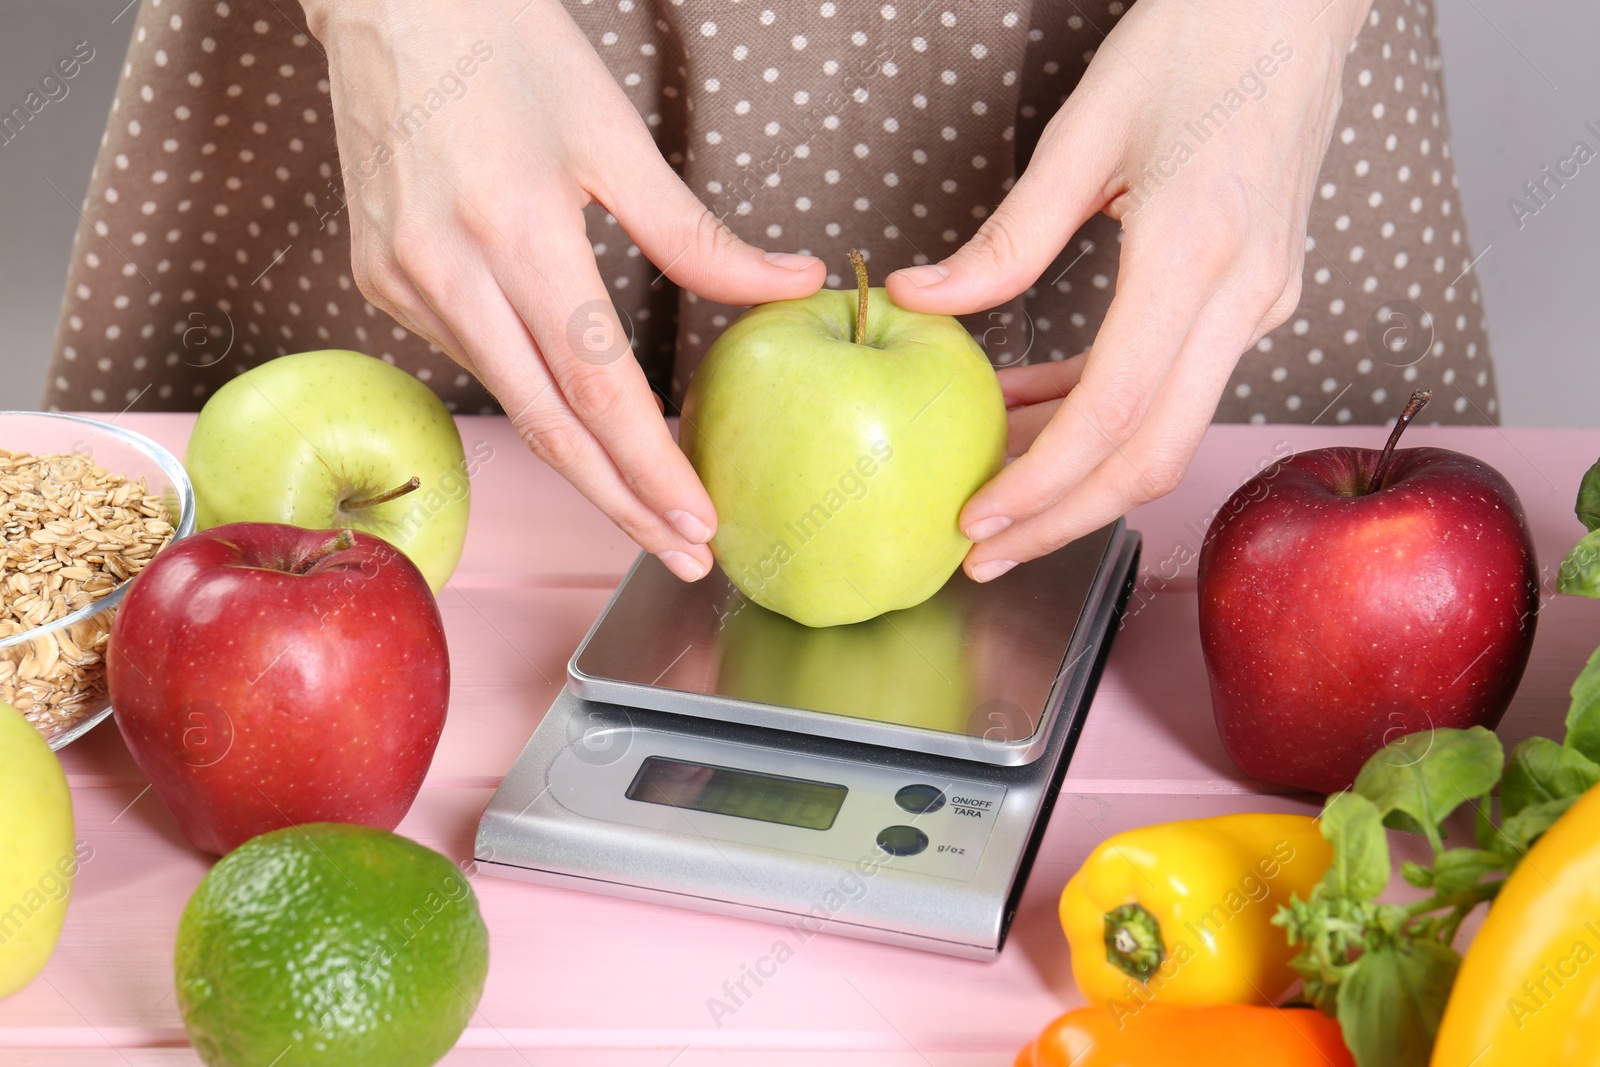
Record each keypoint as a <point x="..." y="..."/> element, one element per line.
<point x="1151" y="465"/>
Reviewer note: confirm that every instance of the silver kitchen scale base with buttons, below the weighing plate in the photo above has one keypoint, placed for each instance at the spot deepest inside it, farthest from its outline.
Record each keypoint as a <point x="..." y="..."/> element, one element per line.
<point x="942" y="874"/>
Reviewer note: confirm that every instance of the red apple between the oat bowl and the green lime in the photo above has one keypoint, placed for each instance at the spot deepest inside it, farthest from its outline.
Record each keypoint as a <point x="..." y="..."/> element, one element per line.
<point x="270" y="676"/>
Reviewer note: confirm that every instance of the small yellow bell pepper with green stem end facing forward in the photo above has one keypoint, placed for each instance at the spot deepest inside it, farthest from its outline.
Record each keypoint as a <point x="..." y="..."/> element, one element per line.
<point x="1182" y="913"/>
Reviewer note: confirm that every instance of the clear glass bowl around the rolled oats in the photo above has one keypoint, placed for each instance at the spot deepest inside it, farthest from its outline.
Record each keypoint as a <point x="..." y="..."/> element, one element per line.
<point x="65" y="658"/>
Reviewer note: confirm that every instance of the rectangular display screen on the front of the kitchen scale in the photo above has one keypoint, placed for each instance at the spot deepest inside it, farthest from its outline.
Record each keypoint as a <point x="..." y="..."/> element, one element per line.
<point x="738" y="794"/>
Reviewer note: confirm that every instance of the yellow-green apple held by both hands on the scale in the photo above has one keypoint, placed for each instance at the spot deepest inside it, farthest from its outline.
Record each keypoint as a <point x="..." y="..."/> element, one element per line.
<point x="839" y="438"/>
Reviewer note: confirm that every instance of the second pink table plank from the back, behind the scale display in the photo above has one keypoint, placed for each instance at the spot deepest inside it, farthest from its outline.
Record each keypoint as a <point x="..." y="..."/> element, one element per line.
<point x="1151" y="730"/>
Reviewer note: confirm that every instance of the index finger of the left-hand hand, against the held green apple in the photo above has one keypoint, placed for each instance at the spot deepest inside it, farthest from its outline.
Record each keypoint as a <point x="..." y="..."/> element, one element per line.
<point x="590" y="356"/>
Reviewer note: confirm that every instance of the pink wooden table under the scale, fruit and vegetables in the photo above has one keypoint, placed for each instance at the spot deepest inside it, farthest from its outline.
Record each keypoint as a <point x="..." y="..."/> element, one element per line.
<point x="583" y="980"/>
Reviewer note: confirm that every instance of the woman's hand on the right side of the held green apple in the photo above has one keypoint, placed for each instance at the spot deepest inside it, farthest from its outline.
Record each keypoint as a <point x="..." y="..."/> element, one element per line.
<point x="1201" y="127"/>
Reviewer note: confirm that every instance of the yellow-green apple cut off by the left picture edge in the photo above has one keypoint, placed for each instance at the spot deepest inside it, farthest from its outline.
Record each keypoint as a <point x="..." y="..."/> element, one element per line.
<point x="38" y="855"/>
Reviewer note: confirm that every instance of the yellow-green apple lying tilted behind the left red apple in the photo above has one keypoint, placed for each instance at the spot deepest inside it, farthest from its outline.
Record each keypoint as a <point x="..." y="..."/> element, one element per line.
<point x="334" y="441"/>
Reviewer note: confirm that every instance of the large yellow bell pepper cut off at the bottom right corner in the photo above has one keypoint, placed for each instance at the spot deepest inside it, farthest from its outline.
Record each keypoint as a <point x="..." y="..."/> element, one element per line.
<point x="1529" y="991"/>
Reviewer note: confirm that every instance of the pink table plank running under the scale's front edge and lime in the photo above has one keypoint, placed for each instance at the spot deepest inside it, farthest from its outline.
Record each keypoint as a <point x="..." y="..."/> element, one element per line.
<point x="572" y="964"/>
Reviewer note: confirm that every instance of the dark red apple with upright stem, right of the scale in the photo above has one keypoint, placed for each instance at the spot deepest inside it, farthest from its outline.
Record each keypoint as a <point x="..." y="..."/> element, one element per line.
<point x="1351" y="596"/>
